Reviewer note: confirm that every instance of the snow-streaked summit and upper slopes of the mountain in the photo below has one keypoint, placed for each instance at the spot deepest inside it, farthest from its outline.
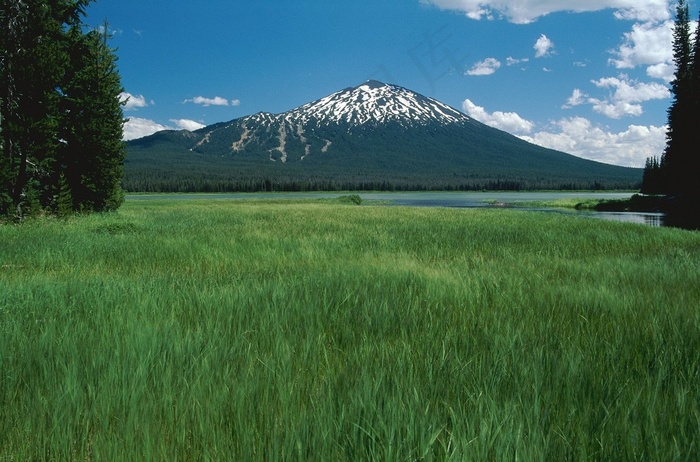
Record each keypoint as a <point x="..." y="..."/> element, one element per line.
<point x="314" y="127"/>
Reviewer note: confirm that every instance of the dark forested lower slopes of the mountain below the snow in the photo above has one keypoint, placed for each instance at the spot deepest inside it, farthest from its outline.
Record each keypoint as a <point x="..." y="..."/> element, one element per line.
<point x="455" y="157"/>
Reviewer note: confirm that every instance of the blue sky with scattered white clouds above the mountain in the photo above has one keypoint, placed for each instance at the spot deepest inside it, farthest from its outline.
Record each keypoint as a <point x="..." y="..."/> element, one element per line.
<point x="588" y="77"/>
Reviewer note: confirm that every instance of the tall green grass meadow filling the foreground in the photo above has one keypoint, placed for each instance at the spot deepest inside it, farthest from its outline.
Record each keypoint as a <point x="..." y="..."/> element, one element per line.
<point x="321" y="330"/>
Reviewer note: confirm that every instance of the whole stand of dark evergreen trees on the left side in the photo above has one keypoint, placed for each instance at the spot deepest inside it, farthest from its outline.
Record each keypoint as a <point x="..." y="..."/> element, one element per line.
<point x="61" y="120"/>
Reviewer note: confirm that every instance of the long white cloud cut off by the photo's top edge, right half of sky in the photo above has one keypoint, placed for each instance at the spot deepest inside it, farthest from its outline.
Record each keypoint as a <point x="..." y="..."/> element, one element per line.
<point x="528" y="11"/>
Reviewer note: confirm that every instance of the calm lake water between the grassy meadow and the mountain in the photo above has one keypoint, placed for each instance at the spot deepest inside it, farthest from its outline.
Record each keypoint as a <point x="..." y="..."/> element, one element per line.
<point x="469" y="199"/>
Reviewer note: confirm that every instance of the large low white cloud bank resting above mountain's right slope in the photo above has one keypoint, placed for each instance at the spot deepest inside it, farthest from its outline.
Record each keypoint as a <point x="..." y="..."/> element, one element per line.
<point x="578" y="136"/>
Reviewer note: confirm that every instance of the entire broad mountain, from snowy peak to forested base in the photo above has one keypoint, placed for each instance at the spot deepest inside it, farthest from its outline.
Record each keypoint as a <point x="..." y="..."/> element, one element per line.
<point x="373" y="136"/>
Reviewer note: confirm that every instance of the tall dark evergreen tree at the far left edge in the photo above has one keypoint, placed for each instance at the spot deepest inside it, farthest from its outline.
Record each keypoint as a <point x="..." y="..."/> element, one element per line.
<point x="32" y="63"/>
